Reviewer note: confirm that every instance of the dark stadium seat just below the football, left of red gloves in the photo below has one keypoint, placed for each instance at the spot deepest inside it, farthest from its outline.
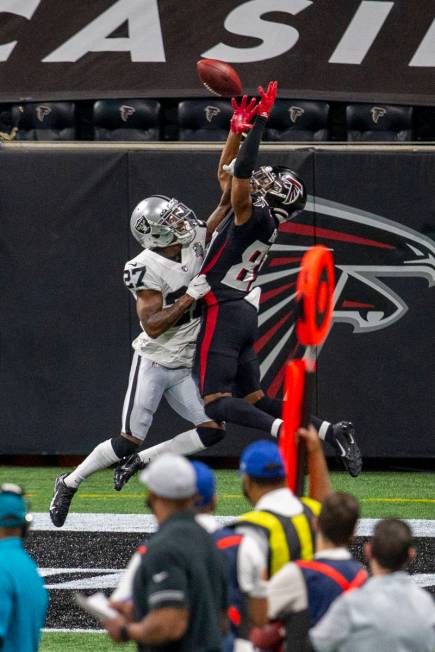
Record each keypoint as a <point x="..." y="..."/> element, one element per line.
<point x="207" y="119"/>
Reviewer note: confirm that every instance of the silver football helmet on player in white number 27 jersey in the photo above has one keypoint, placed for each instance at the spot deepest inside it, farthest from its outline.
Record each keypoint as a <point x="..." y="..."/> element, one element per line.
<point x="159" y="221"/>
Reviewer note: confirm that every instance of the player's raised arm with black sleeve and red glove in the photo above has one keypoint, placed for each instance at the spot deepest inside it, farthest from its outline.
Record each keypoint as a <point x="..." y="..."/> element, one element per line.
<point x="247" y="157"/>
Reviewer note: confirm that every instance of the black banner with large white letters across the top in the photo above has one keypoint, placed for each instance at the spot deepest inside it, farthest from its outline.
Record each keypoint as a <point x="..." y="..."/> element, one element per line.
<point x="350" y="50"/>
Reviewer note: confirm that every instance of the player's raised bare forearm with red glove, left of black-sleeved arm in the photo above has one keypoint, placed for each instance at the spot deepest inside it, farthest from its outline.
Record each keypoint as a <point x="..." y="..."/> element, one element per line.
<point x="240" y="123"/>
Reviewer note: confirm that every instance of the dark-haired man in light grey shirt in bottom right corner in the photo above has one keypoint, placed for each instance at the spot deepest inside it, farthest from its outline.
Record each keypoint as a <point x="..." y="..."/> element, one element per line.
<point x="390" y="612"/>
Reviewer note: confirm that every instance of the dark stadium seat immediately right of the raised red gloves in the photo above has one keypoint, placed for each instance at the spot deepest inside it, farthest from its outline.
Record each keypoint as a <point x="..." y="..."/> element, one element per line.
<point x="298" y="120"/>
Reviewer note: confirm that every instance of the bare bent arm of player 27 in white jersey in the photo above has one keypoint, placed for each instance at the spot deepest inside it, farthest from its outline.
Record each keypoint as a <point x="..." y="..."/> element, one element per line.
<point x="154" y="318"/>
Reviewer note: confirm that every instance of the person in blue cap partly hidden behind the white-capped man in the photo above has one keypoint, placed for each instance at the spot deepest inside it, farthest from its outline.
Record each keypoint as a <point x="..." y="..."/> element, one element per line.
<point x="247" y="589"/>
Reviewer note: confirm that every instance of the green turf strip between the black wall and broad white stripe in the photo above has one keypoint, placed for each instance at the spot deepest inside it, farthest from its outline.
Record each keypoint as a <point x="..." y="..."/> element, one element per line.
<point x="403" y="494"/>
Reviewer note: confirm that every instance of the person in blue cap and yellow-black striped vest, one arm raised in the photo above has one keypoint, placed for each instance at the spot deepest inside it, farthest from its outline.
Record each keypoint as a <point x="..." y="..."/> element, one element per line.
<point x="282" y="523"/>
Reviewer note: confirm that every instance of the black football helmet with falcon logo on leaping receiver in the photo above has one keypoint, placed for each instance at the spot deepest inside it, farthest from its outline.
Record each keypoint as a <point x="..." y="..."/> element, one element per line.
<point x="283" y="190"/>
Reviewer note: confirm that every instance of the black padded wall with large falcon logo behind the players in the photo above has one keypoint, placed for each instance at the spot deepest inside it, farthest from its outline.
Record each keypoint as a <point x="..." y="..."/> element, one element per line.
<point x="67" y="321"/>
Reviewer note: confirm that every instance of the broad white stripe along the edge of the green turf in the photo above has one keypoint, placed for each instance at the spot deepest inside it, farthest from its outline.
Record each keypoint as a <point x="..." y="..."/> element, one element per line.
<point x="77" y="522"/>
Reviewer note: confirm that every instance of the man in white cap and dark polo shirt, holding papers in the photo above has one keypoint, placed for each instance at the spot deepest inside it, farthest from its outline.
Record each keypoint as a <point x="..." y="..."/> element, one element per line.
<point x="180" y="586"/>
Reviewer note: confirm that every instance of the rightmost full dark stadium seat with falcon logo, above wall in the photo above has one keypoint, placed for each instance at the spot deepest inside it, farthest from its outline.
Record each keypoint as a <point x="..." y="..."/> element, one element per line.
<point x="379" y="122"/>
